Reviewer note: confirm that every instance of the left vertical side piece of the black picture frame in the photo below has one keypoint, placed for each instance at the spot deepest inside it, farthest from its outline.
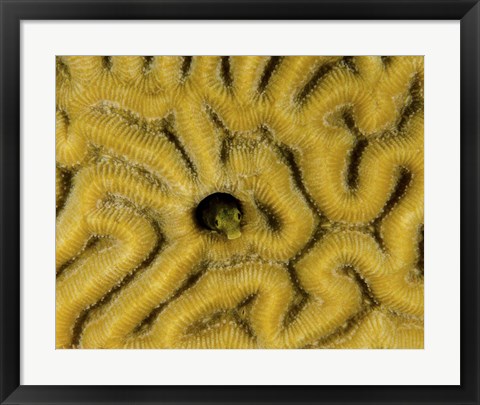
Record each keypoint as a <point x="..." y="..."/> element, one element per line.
<point x="10" y="202"/>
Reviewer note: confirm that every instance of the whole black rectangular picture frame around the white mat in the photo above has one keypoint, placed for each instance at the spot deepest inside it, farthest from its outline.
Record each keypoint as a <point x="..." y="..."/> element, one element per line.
<point x="13" y="11"/>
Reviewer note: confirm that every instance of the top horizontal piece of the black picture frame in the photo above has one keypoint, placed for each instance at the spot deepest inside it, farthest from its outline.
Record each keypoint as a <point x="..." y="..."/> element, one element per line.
<point x="244" y="9"/>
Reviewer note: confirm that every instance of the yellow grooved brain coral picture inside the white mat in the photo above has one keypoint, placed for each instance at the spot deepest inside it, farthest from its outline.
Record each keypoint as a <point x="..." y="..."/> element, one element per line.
<point x="320" y="160"/>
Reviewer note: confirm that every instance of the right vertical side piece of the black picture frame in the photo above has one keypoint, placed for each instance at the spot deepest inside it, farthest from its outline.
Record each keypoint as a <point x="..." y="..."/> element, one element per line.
<point x="470" y="203"/>
